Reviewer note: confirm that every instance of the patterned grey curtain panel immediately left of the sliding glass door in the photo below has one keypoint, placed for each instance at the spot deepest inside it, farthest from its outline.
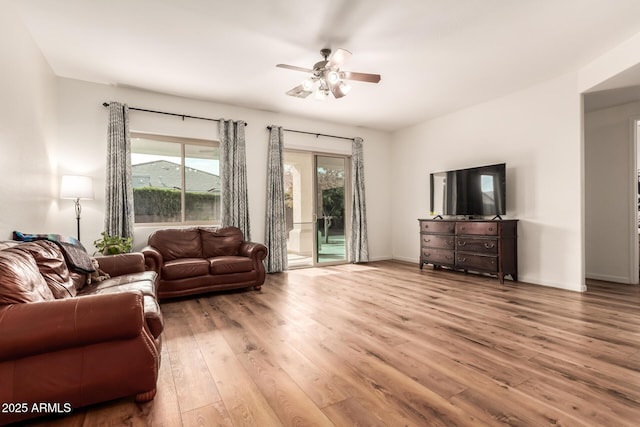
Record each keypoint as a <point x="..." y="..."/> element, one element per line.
<point x="276" y="226"/>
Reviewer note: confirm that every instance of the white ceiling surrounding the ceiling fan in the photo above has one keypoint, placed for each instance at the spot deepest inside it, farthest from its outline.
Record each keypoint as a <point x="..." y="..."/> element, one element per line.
<point x="435" y="56"/>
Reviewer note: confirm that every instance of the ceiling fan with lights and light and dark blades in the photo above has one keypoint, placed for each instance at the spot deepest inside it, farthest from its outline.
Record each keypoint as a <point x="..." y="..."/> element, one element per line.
<point x="326" y="76"/>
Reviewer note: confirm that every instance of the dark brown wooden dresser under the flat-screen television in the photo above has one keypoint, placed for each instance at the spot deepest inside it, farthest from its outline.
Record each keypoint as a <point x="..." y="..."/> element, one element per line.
<point x="483" y="246"/>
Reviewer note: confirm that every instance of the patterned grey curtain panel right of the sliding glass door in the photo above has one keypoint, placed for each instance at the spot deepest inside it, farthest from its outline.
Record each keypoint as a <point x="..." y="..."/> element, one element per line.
<point x="359" y="245"/>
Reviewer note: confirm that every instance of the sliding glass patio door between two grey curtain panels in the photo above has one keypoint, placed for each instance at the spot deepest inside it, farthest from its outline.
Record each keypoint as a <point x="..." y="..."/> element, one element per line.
<point x="316" y="209"/>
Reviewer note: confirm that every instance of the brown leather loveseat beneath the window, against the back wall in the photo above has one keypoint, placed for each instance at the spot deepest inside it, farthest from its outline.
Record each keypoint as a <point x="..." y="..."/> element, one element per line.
<point x="195" y="260"/>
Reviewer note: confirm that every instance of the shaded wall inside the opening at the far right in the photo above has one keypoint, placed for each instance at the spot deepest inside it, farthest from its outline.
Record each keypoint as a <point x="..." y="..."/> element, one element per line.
<point x="610" y="212"/>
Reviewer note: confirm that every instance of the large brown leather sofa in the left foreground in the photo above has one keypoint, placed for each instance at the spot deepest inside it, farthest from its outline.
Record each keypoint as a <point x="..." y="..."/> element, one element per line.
<point x="65" y="344"/>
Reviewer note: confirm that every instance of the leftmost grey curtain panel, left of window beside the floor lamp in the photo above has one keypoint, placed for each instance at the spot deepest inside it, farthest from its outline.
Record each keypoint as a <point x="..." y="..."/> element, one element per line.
<point x="118" y="190"/>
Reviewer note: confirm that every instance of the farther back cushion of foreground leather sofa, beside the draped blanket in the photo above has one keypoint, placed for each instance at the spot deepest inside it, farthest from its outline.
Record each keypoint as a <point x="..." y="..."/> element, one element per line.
<point x="52" y="266"/>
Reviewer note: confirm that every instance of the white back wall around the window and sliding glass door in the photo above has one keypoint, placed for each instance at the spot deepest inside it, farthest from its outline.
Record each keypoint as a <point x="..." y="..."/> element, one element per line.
<point x="82" y="134"/>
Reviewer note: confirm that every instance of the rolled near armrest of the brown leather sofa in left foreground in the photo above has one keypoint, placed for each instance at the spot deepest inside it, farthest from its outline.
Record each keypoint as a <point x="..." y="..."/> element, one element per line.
<point x="42" y="327"/>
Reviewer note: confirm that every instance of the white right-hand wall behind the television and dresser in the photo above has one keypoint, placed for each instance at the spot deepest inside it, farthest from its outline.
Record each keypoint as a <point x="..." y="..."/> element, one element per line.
<point x="537" y="132"/>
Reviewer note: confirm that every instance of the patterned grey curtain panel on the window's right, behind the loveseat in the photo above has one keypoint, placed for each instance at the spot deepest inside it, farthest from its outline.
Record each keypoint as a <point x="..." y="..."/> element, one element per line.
<point x="233" y="176"/>
